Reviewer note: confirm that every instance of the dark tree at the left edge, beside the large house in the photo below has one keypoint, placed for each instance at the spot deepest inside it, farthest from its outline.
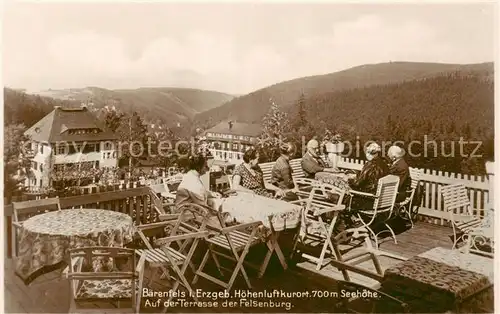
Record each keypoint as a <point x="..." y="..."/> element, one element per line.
<point x="16" y="159"/>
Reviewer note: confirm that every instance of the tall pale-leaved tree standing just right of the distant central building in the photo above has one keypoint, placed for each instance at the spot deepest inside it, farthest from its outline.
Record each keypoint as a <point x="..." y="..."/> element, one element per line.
<point x="275" y="126"/>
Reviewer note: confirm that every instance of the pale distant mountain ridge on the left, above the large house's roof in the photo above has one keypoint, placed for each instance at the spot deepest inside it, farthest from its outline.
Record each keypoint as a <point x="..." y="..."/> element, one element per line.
<point x="167" y="104"/>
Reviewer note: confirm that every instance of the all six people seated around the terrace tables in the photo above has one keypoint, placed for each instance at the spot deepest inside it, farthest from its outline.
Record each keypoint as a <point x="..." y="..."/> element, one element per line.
<point x="248" y="176"/>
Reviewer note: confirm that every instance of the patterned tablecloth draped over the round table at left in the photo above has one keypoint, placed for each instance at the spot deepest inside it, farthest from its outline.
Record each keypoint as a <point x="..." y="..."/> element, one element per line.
<point x="46" y="238"/>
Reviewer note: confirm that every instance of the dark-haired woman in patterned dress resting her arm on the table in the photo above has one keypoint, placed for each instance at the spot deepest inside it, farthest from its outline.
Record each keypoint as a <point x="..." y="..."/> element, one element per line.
<point x="248" y="177"/>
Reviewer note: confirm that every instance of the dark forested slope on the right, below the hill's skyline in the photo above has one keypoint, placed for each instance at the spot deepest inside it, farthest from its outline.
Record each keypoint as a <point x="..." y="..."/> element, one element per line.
<point x="444" y="110"/>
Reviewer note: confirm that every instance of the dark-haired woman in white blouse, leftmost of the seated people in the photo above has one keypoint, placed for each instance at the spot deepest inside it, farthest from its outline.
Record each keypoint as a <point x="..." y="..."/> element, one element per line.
<point x="191" y="190"/>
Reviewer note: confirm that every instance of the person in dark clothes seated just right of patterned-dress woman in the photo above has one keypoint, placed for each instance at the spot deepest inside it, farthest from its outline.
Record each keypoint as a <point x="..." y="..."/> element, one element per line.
<point x="281" y="174"/>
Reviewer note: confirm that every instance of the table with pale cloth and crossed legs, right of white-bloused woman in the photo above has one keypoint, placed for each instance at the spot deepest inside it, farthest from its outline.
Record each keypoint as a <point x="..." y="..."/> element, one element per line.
<point x="275" y="215"/>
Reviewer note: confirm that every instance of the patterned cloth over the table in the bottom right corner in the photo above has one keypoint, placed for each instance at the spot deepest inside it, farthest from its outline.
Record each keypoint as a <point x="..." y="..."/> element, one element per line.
<point x="444" y="280"/>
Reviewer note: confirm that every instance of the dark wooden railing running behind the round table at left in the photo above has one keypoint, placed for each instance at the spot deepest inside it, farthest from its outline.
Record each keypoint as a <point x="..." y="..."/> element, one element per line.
<point x="136" y="202"/>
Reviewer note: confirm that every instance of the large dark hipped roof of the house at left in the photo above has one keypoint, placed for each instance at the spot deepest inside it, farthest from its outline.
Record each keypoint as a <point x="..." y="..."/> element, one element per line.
<point x="55" y="127"/>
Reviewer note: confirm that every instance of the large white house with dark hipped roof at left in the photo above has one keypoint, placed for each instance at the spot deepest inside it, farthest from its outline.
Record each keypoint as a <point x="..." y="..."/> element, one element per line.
<point x="69" y="137"/>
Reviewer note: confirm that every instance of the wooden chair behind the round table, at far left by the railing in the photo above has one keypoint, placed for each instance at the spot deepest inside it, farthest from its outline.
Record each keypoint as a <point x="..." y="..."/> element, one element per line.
<point x="25" y="210"/>
